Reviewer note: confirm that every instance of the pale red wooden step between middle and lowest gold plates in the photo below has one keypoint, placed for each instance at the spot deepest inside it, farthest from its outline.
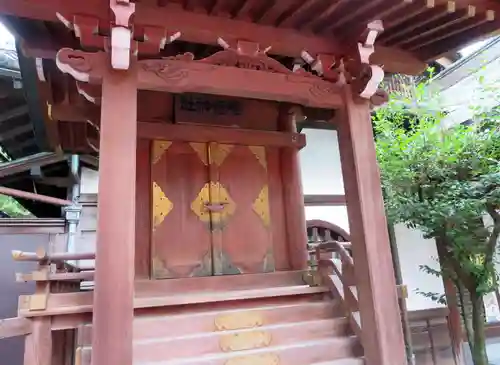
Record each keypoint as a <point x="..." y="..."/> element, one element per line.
<point x="302" y="353"/>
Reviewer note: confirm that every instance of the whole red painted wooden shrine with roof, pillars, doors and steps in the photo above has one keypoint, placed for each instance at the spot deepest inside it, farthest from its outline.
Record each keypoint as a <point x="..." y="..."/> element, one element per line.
<point x="201" y="253"/>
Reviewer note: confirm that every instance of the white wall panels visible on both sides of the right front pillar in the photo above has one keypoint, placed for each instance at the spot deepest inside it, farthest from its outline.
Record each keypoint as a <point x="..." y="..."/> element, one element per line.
<point x="322" y="174"/>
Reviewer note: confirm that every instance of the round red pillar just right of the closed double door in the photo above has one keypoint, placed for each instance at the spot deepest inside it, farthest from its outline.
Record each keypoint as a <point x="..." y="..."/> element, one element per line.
<point x="295" y="219"/>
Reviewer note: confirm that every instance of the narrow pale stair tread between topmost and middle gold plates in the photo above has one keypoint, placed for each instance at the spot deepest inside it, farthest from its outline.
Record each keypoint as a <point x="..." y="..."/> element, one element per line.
<point x="291" y="326"/>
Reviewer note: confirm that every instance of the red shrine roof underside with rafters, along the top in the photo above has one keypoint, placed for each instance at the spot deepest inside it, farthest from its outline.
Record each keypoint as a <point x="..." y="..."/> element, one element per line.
<point x="416" y="31"/>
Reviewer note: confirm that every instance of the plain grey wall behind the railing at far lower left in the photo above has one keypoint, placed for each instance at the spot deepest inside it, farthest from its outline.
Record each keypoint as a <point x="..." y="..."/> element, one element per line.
<point x="12" y="349"/>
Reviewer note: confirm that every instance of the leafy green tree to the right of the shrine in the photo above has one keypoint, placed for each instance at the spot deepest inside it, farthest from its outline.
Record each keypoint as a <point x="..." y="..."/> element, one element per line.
<point x="444" y="182"/>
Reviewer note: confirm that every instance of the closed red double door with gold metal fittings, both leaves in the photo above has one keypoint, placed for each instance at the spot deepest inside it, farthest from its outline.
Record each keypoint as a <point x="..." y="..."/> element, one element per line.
<point x="210" y="210"/>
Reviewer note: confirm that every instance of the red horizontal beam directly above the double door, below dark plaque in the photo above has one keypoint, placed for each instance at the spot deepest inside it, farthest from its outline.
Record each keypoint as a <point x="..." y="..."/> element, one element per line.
<point x="202" y="134"/>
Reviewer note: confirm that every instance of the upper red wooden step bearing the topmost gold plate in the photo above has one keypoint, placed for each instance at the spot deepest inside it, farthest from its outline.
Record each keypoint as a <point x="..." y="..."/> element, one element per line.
<point x="248" y="314"/>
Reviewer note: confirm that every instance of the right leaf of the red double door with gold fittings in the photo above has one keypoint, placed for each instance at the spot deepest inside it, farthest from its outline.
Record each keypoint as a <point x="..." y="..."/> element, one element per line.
<point x="243" y="240"/>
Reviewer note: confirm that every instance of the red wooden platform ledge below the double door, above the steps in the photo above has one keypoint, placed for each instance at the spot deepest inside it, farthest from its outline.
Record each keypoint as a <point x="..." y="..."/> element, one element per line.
<point x="177" y="292"/>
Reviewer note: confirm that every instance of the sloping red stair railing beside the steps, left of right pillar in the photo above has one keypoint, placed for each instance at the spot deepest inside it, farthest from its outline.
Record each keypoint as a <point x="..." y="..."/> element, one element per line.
<point x="340" y="279"/>
